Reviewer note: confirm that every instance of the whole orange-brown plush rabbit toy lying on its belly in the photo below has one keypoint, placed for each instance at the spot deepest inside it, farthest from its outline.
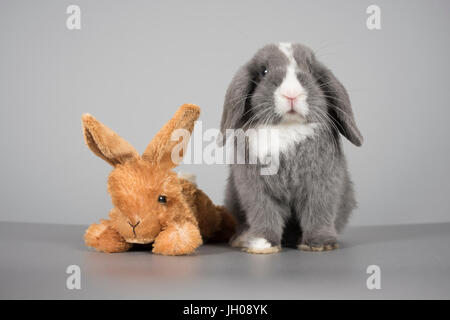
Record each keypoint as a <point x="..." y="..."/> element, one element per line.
<point x="152" y="204"/>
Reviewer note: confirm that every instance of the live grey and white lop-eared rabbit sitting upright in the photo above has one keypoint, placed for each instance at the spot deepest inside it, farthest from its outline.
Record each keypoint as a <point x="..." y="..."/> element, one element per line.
<point x="285" y="87"/>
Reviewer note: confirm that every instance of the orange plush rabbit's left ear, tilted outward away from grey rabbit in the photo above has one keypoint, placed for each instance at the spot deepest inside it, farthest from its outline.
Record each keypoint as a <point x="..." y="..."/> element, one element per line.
<point x="105" y="143"/>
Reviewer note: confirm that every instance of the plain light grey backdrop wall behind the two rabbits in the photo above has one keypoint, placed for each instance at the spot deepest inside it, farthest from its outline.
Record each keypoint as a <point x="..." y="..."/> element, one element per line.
<point x="134" y="62"/>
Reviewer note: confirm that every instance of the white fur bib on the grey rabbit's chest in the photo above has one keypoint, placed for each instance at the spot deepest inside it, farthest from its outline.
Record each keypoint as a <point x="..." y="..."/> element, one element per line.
<point x="270" y="140"/>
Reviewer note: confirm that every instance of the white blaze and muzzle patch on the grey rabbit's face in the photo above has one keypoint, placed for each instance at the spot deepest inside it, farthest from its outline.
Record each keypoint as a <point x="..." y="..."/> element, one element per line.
<point x="290" y="87"/>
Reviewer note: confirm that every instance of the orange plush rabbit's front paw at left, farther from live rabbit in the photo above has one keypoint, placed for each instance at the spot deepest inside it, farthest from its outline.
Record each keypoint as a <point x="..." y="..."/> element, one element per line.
<point x="103" y="238"/>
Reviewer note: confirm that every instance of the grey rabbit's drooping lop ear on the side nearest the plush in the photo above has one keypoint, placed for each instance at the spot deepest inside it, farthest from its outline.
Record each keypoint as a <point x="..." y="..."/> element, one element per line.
<point x="235" y="100"/>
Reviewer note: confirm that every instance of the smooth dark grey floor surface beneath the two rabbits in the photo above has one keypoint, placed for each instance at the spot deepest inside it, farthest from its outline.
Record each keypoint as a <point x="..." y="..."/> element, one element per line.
<point x="414" y="262"/>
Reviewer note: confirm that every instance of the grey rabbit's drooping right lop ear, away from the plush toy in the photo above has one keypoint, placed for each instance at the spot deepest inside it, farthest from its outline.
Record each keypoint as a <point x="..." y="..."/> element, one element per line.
<point x="339" y="103"/>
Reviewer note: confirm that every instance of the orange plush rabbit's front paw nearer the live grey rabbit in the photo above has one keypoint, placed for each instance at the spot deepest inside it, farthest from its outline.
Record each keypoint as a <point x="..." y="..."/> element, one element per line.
<point x="178" y="240"/>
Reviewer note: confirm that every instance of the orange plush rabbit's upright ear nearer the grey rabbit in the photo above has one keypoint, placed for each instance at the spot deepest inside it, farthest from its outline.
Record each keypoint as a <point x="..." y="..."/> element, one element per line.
<point x="159" y="151"/>
